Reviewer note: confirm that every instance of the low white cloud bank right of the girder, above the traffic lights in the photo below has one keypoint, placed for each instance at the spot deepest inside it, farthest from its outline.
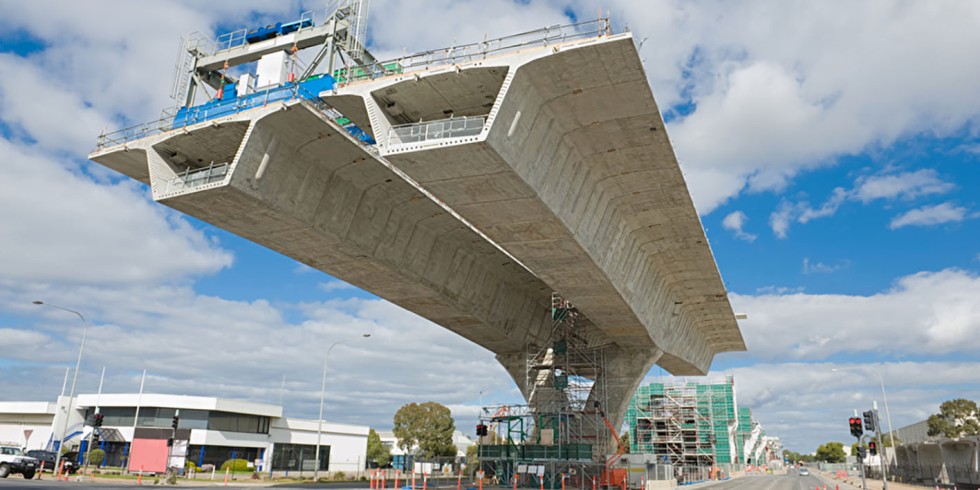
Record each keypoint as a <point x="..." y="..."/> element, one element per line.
<point x="930" y="313"/>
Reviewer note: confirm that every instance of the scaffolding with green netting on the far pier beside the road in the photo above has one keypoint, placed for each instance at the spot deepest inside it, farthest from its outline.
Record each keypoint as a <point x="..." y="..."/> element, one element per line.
<point x="688" y="425"/>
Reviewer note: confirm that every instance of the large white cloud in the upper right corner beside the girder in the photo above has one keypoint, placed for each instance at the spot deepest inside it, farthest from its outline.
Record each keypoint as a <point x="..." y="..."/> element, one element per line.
<point x="809" y="82"/>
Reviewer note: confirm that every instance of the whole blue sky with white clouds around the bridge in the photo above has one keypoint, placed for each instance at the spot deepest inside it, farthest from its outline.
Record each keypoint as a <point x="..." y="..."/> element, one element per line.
<point x="832" y="150"/>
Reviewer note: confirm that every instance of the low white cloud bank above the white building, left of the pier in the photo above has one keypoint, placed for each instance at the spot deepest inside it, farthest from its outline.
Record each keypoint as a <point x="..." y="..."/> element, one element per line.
<point x="202" y="345"/>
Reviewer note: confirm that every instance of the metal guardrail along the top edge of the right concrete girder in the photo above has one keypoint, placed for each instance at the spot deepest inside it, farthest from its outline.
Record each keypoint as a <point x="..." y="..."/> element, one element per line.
<point x="468" y="52"/>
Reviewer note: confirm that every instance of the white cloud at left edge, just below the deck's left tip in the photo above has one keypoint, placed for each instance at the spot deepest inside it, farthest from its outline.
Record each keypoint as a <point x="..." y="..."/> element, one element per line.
<point x="58" y="225"/>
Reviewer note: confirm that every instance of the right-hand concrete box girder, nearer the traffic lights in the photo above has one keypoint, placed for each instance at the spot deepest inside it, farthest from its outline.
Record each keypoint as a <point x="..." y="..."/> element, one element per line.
<point x="588" y="194"/>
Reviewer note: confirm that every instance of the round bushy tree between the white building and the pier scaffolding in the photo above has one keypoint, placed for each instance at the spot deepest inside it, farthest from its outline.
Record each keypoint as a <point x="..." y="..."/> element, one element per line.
<point x="428" y="426"/>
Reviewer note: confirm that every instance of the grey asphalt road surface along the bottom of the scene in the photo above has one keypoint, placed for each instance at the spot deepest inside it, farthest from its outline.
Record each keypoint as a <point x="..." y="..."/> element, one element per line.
<point x="791" y="481"/>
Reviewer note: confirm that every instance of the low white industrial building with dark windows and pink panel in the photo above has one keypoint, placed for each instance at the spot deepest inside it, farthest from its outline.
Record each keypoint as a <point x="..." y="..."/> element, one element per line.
<point x="137" y="429"/>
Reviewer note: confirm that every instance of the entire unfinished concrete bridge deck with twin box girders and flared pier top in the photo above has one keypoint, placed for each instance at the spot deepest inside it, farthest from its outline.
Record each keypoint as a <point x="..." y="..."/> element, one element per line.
<point x="495" y="180"/>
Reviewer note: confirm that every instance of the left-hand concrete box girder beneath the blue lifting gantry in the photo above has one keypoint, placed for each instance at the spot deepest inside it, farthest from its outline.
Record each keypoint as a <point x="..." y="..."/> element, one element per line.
<point x="326" y="202"/>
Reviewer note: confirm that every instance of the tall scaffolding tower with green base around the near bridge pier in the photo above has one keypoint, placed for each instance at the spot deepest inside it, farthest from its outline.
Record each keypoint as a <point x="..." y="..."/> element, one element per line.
<point x="561" y="436"/>
